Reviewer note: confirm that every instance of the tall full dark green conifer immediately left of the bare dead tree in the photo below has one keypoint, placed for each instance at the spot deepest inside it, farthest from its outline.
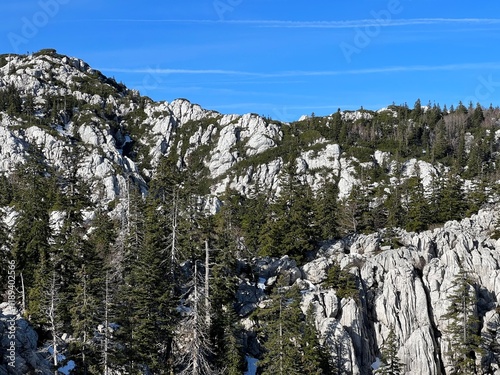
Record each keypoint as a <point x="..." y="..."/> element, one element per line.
<point x="147" y="313"/>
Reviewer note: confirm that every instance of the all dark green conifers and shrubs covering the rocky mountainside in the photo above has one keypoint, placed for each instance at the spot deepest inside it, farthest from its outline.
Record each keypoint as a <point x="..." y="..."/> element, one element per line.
<point x="165" y="263"/>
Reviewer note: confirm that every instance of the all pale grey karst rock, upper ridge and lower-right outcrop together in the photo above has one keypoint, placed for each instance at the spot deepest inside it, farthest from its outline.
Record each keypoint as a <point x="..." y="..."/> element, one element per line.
<point x="122" y="136"/>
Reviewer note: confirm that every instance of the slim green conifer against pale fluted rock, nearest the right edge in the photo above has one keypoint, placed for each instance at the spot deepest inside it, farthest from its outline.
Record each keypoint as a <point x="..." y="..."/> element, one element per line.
<point x="462" y="331"/>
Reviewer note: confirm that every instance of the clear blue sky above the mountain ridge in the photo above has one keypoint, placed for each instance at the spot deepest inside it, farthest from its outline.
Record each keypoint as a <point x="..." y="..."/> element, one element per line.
<point x="278" y="58"/>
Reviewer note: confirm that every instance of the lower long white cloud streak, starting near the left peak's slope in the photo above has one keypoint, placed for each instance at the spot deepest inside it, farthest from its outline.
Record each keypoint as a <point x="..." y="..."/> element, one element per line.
<point x="305" y="73"/>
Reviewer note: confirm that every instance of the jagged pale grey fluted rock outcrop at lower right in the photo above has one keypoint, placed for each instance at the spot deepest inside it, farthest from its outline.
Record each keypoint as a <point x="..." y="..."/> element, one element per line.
<point x="404" y="289"/>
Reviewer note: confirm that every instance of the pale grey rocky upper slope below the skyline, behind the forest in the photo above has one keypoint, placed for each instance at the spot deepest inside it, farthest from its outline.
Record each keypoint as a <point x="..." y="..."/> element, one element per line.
<point x="124" y="134"/>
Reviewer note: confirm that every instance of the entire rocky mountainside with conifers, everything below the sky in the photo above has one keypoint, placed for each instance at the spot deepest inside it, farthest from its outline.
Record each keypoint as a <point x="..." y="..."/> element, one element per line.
<point x="158" y="238"/>
